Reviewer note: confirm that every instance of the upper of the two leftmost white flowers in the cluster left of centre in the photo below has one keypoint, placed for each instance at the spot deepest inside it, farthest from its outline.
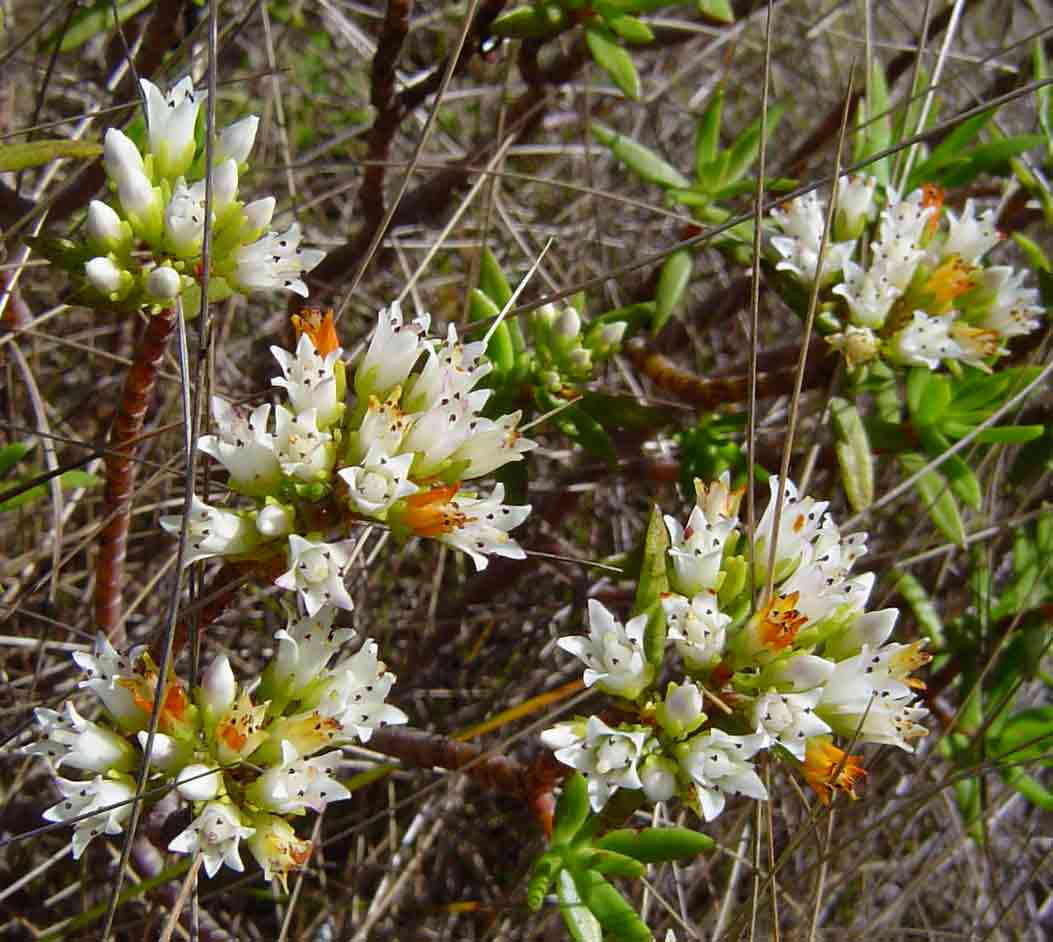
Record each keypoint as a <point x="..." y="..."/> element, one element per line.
<point x="245" y="448"/>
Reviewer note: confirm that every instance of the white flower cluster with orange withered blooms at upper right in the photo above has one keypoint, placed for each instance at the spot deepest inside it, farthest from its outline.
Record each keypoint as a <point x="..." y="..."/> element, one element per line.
<point x="924" y="295"/>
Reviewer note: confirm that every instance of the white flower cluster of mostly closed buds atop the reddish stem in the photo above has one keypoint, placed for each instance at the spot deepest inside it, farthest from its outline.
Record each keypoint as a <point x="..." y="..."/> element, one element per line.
<point x="160" y="207"/>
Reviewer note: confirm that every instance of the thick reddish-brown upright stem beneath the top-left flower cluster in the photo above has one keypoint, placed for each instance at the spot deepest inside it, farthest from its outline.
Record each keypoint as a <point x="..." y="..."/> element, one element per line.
<point x="121" y="469"/>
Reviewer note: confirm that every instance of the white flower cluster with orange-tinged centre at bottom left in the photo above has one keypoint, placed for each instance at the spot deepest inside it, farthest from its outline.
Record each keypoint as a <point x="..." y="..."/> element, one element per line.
<point x="246" y="760"/>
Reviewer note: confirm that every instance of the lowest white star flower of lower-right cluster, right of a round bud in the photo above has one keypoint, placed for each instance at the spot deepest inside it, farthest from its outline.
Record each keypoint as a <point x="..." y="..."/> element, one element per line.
<point x="719" y="765"/>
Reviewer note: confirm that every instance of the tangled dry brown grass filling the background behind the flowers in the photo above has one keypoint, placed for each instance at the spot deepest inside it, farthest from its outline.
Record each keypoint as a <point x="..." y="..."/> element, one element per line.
<point x="508" y="163"/>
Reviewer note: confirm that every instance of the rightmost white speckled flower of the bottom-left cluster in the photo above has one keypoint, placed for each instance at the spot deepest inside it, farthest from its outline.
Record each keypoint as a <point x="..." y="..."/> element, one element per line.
<point x="355" y="692"/>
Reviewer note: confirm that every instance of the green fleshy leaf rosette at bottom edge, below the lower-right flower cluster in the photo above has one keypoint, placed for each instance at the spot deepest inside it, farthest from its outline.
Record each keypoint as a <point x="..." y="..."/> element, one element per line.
<point x="579" y="865"/>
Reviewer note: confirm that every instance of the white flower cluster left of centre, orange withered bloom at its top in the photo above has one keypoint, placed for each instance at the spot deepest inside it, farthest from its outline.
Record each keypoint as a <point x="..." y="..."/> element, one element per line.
<point x="399" y="456"/>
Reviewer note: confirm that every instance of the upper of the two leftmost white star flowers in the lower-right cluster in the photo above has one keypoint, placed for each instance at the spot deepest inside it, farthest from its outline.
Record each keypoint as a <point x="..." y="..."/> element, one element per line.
<point x="613" y="654"/>
